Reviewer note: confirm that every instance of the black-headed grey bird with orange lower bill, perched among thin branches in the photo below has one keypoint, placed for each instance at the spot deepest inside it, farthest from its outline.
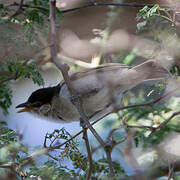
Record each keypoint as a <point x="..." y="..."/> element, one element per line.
<point x="96" y="86"/>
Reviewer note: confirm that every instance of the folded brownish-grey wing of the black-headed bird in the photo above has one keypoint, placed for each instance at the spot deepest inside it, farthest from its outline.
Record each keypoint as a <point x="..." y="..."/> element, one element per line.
<point x="91" y="81"/>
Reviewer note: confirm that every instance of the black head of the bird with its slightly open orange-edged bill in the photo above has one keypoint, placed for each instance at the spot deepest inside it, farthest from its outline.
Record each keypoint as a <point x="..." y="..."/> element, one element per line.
<point x="38" y="98"/>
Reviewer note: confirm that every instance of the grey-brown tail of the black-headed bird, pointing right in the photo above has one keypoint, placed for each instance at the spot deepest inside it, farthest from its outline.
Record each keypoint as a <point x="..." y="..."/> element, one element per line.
<point x="152" y="70"/>
